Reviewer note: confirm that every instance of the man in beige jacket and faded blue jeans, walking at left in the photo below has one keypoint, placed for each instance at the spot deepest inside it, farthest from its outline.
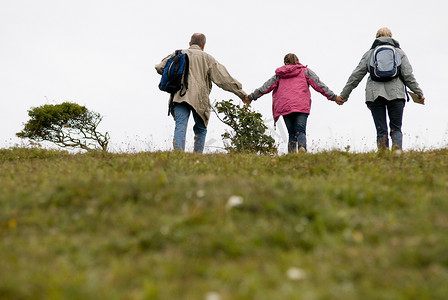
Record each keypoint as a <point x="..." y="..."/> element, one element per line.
<point x="203" y="70"/>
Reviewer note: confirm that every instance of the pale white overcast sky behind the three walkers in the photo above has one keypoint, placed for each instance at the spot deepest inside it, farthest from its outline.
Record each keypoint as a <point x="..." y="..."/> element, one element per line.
<point x="101" y="54"/>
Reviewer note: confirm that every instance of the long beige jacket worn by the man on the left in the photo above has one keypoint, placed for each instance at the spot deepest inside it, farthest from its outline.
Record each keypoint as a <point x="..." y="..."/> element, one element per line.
<point x="204" y="70"/>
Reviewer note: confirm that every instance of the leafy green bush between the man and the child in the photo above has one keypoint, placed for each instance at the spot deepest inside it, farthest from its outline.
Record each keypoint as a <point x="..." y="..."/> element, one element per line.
<point x="248" y="129"/>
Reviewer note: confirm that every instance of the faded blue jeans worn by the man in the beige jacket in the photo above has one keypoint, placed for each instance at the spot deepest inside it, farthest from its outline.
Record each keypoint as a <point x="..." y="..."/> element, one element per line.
<point x="181" y="116"/>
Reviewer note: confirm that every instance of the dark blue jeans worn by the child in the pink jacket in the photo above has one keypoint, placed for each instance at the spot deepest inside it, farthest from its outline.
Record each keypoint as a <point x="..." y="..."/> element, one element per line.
<point x="296" y="125"/>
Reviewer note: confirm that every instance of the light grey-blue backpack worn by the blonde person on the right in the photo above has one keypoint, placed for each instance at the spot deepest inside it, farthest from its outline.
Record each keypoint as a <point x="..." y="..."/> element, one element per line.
<point x="385" y="63"/>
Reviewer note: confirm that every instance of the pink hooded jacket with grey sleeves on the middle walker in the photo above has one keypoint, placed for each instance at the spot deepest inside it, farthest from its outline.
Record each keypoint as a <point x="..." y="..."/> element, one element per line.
<point x="291" y="93"/>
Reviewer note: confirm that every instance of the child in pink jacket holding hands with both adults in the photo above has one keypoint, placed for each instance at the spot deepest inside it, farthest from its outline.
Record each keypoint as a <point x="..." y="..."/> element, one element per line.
<point x="292" y="98"/>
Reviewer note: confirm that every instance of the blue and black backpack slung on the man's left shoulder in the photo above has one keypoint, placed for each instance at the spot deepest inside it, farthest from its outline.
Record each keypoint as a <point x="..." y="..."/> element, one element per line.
<point x="175" y="74"/>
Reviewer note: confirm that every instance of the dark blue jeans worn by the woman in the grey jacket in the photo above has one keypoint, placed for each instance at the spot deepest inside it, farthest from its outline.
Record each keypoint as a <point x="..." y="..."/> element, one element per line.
<point x="394" y="109"/>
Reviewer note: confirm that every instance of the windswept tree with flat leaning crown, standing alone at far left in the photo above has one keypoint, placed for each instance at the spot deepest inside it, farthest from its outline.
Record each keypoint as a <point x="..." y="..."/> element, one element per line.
<point x="67" y="125"/>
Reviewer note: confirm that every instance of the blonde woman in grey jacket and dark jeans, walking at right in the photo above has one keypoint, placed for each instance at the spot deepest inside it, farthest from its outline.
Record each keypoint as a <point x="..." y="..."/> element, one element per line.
<point x="385" y="94"/>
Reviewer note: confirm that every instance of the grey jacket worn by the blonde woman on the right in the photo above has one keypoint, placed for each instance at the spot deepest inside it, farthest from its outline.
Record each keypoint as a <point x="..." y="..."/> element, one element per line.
<point x="389" y="90"/>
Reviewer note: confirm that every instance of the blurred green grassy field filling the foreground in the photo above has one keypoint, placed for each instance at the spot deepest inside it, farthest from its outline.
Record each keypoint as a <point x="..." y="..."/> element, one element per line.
<point x="159" y="226"/>
